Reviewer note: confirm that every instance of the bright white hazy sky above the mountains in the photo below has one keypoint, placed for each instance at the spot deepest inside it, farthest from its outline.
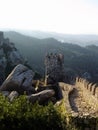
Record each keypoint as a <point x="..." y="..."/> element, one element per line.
<point x="66" y="16"/>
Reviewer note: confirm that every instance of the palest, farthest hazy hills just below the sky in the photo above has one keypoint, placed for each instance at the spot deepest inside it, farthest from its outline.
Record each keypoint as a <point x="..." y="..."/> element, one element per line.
<point x="80" y="39"/>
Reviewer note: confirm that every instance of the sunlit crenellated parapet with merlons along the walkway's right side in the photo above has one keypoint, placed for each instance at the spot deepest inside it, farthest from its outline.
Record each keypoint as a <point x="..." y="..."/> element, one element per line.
<point x="89" y="91"/>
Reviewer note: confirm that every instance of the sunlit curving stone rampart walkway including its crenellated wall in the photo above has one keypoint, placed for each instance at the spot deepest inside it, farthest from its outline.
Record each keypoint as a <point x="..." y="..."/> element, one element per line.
<point x="81" y="98"/>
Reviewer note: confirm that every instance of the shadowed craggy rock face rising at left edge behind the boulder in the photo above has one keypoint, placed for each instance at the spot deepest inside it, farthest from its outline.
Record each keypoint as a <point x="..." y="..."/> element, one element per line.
<point x="9" y="56"/>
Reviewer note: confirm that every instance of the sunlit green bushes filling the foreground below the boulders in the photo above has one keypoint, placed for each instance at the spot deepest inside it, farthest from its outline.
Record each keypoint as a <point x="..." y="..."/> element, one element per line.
<point x="21" y="114"/>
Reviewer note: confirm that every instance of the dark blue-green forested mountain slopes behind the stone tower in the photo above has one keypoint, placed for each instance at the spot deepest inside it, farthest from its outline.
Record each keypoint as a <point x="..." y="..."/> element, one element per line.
<point x="78" y="59"/>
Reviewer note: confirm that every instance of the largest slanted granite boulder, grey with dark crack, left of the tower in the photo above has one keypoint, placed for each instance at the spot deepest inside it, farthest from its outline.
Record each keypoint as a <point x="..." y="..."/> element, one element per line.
<point x="20" y="80"/>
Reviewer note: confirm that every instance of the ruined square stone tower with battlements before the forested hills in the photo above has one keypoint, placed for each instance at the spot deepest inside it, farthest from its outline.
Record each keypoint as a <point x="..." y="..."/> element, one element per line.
<point x="54" y="68"/>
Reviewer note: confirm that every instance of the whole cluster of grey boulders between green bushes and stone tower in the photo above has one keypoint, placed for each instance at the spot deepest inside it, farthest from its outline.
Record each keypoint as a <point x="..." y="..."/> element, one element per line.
<point x="20" y="81"/>
